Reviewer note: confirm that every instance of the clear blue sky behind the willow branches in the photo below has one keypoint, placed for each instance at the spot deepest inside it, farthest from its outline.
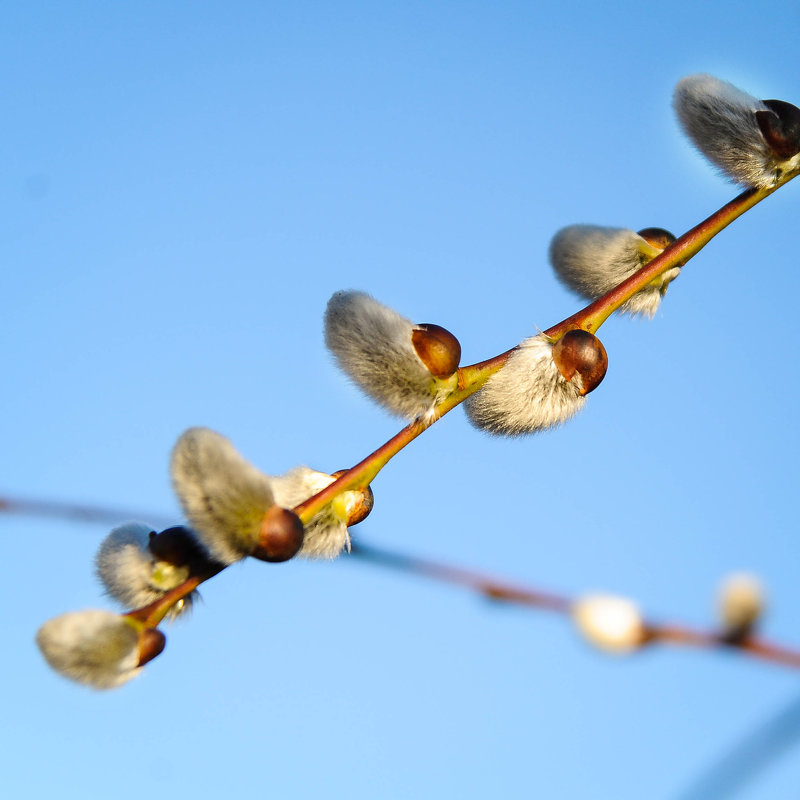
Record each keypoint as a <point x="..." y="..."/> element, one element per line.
<point x="183" y="186"/>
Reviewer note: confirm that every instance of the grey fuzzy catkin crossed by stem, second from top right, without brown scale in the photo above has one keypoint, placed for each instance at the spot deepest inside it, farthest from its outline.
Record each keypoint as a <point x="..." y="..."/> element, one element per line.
<point x="591" y="260"/>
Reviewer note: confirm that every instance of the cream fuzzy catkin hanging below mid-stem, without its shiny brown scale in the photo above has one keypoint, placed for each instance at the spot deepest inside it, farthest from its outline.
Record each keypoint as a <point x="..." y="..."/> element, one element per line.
<point x="527" y="395"/>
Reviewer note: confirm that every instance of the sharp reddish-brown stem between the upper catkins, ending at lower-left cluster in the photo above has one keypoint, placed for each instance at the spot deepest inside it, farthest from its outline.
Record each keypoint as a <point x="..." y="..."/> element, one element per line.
<point x="590" y="318"/>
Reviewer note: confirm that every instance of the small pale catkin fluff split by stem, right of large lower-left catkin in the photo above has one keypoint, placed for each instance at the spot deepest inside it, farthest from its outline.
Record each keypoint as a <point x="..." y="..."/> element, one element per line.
<point x="326" y="533"/>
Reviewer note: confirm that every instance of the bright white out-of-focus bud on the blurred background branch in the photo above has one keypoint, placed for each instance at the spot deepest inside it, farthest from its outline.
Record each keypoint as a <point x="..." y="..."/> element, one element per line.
<point x="610" y="623"/>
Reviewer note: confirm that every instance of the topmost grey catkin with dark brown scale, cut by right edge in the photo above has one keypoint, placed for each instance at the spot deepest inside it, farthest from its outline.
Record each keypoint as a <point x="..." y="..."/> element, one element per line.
<point x="754" y="142"/>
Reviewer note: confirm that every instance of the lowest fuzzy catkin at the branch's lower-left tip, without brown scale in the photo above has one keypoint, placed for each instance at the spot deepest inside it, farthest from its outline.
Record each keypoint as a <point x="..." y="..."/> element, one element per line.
<point x="93" y="647"/>
